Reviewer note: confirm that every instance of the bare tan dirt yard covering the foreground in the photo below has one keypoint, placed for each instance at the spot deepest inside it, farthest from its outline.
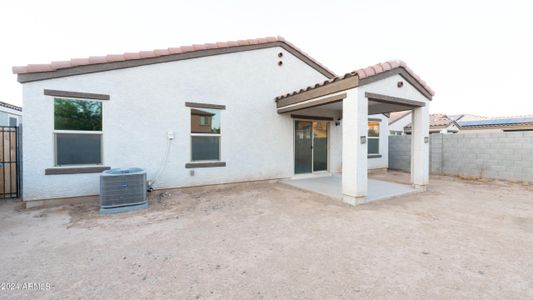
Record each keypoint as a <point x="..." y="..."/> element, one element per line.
<point x="461" y="239"/>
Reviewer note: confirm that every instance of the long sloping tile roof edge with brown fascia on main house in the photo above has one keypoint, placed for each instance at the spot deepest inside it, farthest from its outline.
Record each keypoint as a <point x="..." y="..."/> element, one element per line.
<point x="77" y="66"/>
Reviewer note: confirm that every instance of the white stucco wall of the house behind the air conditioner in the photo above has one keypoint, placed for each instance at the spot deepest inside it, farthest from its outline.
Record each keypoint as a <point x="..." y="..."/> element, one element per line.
<point x="148" y="101"/>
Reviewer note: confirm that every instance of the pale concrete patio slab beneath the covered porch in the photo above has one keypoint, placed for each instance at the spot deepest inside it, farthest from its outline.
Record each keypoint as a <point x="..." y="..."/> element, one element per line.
<point x="331" y="186"/>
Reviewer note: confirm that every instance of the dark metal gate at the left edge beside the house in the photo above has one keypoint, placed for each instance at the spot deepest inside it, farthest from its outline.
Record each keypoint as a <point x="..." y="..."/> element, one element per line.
<point x="9" y="162"/>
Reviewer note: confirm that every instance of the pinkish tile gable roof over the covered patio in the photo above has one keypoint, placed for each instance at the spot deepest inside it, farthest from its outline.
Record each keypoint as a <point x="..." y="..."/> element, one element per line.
<point x="370" y="72"/>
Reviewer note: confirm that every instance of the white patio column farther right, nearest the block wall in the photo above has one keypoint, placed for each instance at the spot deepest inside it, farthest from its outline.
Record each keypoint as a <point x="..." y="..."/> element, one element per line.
<point x="420" y="147"/>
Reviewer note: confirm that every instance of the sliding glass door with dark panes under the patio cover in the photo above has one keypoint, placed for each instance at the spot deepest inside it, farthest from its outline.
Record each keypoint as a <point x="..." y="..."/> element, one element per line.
<point x="311" y="146"/>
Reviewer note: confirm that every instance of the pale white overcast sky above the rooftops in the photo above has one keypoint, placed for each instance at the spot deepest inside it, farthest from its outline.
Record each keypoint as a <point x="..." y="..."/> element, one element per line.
<point x="476" y="55"/>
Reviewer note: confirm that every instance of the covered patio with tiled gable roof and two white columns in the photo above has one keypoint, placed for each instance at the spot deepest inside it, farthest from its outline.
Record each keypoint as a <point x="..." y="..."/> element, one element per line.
<point x="347" y="102"/>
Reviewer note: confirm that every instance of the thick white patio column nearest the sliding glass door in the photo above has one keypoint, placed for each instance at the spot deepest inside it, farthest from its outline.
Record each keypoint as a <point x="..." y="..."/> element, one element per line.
<point x="354" y="147"/>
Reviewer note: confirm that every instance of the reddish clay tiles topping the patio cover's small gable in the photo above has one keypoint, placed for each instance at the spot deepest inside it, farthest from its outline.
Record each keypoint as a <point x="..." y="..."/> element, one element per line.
<point x="364" y="73"/>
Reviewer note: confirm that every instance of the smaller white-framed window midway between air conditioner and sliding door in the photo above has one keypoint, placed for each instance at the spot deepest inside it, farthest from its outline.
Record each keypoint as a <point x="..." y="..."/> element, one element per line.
<point x="205" y="134"/>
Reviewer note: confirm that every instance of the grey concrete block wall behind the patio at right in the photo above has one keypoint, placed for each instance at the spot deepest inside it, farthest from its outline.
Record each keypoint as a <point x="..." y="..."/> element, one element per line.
<point x="507" y="155"/>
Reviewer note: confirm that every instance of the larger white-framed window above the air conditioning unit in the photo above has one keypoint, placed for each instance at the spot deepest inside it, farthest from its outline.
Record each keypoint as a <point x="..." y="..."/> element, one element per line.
<point x="77" y="132"/>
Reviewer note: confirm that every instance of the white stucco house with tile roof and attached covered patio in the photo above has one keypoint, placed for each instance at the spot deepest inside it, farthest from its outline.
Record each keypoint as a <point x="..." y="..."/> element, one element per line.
<point x="211" y="114"/>
